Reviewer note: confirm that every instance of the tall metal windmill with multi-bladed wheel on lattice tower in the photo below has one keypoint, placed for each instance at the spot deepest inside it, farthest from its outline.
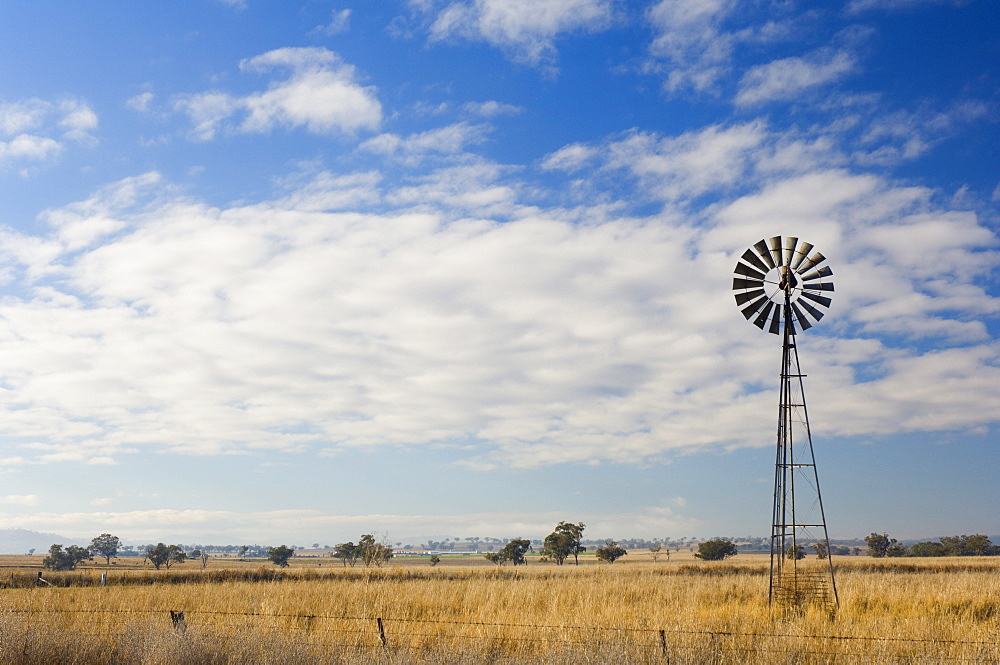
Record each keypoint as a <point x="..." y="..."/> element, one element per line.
<point x="784" y="291"/>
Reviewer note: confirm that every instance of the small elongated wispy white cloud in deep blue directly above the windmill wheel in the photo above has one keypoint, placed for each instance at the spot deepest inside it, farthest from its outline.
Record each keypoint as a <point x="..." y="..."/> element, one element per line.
<point x="788" y="78"/>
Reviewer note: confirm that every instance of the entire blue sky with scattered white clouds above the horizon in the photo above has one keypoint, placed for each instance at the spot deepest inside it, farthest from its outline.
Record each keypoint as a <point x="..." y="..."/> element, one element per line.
<point x="291" y="272"/>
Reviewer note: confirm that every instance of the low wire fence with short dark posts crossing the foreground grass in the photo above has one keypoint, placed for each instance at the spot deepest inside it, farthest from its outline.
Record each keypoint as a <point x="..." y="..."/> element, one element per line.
<point x="374" y="634"/>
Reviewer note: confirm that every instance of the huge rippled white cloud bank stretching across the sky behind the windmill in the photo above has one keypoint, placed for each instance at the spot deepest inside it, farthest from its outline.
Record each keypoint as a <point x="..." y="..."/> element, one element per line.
<point x="353" y="310"/>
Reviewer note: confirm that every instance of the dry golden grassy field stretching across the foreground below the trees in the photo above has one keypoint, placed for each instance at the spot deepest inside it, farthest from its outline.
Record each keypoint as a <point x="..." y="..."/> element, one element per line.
<point x="466" y="610"/>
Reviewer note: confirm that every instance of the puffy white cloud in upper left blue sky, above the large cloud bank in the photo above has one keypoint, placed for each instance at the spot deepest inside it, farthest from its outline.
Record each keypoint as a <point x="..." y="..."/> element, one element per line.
<point x="321" y="95"/>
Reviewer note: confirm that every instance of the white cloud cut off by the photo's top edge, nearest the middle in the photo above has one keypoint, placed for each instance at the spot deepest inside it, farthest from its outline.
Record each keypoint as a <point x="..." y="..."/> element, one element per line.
<point x="525" y="29"/>
